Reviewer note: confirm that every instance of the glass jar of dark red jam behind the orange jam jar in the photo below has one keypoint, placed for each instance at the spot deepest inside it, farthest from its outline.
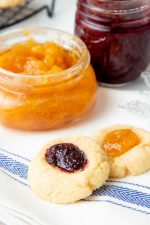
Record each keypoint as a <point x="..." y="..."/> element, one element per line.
<point x="117" y="34"/>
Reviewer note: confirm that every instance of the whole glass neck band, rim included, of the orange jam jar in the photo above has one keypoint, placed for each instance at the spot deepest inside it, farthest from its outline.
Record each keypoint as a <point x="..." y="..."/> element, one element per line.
<point x="13" y="82"/>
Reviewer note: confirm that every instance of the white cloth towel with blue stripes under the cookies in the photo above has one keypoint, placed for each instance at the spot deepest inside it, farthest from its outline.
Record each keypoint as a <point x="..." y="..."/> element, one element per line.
<point x="118" y="202"/>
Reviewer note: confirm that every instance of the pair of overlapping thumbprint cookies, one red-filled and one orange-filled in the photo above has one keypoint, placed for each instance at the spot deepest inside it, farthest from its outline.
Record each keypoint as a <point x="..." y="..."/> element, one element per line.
<point x="70" y="168"/>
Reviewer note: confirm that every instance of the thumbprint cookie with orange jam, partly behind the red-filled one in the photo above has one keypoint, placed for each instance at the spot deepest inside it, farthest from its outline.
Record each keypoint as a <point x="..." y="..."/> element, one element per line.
<point x="127" y="147"/>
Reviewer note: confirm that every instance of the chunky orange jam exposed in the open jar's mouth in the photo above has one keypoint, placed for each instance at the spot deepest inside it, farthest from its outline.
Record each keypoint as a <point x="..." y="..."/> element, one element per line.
<point x="32" y="58"/>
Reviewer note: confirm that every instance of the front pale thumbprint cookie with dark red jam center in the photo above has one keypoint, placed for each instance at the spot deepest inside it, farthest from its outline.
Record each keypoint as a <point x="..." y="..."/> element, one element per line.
<point x="68" y="169"/>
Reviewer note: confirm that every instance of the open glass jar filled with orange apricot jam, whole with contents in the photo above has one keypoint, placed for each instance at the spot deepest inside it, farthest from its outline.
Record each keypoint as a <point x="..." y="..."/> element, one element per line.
<point x="46" y="80"/>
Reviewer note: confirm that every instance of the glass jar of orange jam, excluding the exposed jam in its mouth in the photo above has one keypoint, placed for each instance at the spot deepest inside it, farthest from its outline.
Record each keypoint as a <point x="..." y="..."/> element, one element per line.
<point x="42" y="102"/>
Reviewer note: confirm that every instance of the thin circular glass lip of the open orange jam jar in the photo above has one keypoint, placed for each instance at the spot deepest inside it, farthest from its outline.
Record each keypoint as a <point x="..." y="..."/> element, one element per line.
<point x="71" y="70"/>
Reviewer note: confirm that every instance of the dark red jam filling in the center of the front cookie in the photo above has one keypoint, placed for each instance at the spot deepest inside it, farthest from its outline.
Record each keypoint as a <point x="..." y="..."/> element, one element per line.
<point x="67" y="157"/>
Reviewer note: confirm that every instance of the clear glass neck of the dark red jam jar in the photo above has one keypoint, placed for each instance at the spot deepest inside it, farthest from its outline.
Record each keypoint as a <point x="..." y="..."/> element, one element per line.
<point x="111" y="10"/>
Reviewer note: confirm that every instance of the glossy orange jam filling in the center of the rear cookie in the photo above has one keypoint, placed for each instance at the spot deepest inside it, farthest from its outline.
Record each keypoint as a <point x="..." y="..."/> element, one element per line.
<point x="118" y="142"/>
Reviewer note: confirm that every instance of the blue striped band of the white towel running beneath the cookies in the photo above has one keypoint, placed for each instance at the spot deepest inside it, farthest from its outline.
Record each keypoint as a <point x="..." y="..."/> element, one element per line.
<point x="127" y="193"/>
